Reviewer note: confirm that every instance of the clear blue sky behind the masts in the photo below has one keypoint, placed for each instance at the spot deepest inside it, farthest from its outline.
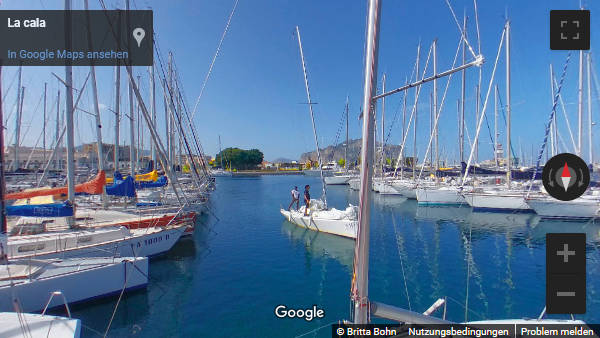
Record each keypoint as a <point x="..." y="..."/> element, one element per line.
<point x="255" y="94"/>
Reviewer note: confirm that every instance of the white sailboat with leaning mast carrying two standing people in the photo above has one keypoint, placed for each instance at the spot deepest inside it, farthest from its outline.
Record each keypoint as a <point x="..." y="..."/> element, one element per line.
<point x="320" y="217"/>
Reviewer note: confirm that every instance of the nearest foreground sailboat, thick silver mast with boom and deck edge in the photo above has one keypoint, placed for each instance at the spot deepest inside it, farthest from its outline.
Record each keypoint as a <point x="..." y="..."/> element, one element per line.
<point x="363" y="308"/>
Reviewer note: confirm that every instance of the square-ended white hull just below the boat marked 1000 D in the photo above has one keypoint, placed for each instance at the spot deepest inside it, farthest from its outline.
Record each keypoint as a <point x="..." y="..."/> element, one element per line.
<point x="78" y="279"/>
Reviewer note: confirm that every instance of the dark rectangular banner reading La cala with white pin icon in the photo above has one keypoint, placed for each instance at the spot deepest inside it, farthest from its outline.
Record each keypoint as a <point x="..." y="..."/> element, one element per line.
<point x="79" y="38"/>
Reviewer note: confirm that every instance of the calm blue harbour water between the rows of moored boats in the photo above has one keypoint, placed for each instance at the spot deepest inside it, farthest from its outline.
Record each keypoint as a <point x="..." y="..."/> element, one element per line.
<point x="227" y="281"/>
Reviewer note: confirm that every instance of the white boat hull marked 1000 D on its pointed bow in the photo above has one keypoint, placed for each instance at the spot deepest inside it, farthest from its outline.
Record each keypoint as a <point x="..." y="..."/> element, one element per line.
<point x="102" y="242"/>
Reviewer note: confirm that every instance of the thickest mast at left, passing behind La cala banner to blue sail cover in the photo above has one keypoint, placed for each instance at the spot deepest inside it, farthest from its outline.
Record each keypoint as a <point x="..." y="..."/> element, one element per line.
<point x="69" y="115"/>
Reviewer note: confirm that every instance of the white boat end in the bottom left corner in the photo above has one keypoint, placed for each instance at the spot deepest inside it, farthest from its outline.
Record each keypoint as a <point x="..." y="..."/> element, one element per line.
<point x="38" y="326"/>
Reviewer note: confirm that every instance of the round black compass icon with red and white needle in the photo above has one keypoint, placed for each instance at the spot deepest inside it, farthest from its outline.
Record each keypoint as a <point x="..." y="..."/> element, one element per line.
<point x="566" y="177"/>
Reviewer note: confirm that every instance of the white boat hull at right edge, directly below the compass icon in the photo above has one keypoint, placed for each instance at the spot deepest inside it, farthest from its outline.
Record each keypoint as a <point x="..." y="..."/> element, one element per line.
<point x="582" y="208"/>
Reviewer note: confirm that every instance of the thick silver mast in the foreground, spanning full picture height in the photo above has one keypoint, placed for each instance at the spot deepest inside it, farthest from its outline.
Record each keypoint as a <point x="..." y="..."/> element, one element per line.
<point x="360" y="287"/>
